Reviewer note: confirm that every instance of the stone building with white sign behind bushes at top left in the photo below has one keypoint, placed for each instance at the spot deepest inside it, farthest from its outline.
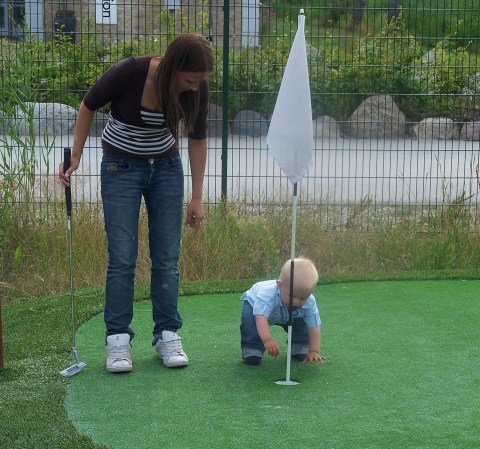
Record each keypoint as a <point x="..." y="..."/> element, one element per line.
<point x="121" y="19"/>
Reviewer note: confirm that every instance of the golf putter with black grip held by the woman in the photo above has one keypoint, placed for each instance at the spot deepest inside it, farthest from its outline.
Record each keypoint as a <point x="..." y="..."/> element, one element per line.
<point x="78" y="366"/>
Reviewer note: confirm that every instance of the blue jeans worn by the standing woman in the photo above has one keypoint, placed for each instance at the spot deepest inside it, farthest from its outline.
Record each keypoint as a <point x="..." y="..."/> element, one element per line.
<point x="123" y="184"/>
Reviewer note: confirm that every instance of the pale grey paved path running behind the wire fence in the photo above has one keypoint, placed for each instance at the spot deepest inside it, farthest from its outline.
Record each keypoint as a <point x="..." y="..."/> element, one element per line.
<point x="342" y="171"/>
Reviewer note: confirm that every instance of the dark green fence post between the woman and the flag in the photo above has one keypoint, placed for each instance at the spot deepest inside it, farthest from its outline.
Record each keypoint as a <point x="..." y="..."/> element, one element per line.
<point x="225" y="89"/>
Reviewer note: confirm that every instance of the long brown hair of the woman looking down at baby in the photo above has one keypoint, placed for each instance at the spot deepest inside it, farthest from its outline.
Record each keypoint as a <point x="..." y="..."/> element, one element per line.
<point x="187" y="53"/>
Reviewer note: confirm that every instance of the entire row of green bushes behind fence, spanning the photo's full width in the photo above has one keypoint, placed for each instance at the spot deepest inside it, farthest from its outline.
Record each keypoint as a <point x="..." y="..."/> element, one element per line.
<point x="390" y="62"/>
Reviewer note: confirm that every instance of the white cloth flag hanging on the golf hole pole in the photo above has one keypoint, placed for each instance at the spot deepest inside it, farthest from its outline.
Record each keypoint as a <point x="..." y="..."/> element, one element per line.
<point x="290" y="137"/>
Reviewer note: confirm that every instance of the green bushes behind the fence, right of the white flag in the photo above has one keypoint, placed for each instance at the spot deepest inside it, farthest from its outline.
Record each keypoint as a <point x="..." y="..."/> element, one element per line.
<point x="423" y="83"/>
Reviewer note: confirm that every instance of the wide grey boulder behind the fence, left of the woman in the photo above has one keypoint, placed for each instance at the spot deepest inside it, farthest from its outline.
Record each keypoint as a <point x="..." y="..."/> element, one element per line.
<point x="47" y="118"/>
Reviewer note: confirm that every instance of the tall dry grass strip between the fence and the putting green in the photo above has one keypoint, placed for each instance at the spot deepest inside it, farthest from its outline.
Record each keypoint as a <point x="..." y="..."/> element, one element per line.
<point x="233" y="244"/>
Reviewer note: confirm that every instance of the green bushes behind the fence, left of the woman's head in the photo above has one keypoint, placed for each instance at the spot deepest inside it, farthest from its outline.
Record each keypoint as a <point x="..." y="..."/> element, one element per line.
<point x="59" y="71"/>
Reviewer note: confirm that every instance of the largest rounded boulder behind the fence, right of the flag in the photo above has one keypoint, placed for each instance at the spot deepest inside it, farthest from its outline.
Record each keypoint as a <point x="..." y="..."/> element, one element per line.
<point x="377" y="117"/>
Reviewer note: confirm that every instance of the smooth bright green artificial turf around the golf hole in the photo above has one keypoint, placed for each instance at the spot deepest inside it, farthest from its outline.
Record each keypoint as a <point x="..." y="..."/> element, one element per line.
<point x="401" y="372"/>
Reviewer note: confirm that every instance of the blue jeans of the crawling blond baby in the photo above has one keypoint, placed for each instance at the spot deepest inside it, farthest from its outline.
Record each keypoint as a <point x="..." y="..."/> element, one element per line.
<point x="251" y="343"/>
